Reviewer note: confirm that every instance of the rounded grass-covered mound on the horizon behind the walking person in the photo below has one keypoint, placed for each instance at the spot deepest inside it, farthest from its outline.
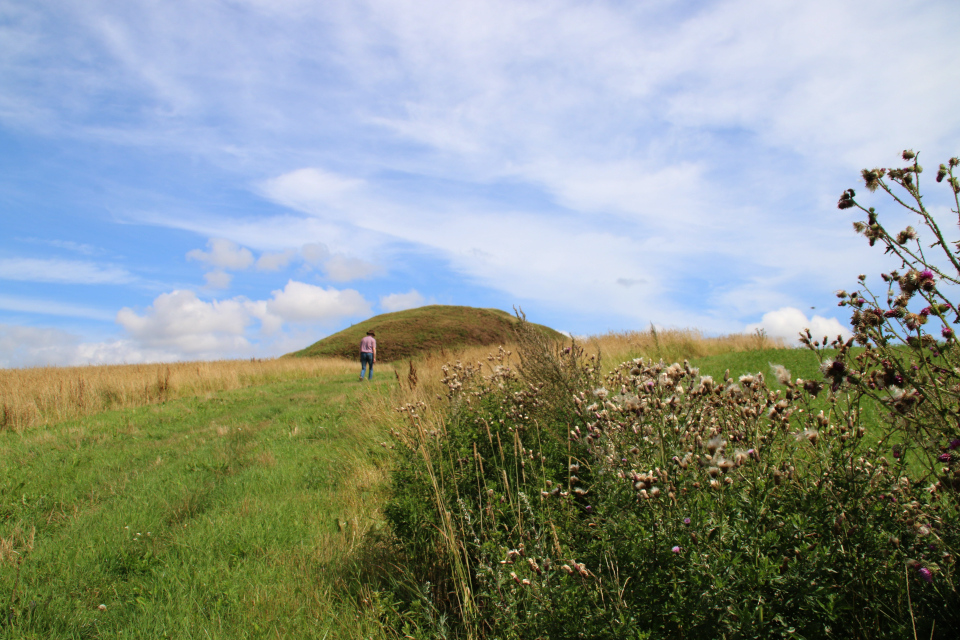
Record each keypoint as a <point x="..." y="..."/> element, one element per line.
<point x="405" y="334"/>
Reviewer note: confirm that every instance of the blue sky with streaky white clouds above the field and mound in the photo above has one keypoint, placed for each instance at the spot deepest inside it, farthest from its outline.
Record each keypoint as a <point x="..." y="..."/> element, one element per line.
<point x="208" y="179"/>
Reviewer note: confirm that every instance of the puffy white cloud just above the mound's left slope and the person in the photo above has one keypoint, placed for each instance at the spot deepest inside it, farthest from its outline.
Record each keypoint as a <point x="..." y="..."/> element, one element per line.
<point x="300" y="302"/>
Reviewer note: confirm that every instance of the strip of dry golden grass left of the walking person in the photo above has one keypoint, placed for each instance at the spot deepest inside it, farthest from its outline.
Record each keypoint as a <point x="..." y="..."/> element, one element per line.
<point x="46" y="395"/>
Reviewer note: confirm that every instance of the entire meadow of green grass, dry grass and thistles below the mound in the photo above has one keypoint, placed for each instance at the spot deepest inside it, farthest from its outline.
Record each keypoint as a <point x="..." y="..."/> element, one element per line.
<point x="657" y="484"/>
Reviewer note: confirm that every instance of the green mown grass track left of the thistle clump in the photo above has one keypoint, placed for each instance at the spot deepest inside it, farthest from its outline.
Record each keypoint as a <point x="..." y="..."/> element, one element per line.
<point x="240" y="515"/>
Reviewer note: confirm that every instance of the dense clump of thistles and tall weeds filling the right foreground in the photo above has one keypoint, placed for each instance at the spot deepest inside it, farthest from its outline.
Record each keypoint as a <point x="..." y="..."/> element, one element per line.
<point x="551" y="500"/>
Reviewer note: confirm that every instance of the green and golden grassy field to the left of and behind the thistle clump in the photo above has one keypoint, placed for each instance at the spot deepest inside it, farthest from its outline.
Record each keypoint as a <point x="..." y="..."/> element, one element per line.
<point x="247" y="512"/>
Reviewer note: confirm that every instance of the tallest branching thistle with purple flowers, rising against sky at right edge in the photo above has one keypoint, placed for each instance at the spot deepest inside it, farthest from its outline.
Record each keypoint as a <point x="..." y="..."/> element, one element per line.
<point x="909" y="358"/>
